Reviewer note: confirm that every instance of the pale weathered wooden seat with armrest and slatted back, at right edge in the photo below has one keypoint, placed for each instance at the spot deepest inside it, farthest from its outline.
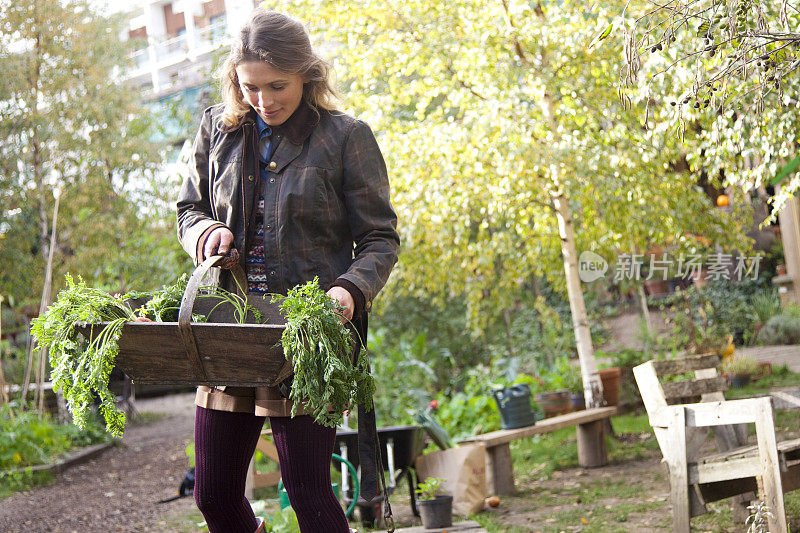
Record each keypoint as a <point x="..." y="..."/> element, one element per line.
<point x="734" y="469"/>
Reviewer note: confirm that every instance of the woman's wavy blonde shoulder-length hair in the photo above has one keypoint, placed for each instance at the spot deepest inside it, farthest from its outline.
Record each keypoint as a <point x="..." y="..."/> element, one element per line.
<point x="283" y="43"/>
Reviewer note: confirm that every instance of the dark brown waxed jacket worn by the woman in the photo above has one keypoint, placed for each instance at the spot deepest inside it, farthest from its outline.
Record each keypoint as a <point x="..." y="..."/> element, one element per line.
<point x="326" y="213"/>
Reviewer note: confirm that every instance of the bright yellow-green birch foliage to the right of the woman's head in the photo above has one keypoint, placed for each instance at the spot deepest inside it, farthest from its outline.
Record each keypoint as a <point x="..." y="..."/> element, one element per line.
<point x="460" y="97"/>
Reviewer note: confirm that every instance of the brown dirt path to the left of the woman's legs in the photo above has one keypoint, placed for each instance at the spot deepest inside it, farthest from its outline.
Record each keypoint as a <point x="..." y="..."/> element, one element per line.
<point x="118" y="490"/>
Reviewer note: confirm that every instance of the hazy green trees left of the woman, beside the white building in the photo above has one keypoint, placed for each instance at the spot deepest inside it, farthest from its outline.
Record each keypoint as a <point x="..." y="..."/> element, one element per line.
<point x="68" y="121"/>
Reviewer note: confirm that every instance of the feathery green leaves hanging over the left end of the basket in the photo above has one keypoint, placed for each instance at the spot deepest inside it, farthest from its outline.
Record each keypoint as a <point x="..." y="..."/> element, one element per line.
<point x="81" y="367"/>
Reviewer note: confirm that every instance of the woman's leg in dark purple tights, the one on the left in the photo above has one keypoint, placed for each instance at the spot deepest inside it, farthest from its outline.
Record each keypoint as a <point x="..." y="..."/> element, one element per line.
<point x="224" y="444"/>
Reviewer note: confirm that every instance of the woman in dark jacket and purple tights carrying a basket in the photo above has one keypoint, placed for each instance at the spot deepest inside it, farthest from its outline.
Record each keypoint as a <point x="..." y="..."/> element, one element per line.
<point x="291" y="189"/>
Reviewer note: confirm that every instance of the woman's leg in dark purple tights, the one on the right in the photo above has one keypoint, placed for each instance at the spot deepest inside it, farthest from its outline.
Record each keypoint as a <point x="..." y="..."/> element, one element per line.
<point x="304" y="450"/>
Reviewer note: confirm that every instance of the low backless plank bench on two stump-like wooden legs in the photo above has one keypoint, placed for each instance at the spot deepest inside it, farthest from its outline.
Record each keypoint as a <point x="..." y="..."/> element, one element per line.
<point x="591" y="444"/>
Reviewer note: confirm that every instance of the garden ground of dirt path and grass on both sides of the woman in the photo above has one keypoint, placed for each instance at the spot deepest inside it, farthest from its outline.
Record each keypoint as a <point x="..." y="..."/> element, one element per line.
<point x="118" y="491"/>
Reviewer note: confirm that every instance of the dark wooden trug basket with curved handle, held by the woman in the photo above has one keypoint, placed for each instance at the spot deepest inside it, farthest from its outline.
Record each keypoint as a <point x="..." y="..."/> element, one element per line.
<point x="214" y="353"/>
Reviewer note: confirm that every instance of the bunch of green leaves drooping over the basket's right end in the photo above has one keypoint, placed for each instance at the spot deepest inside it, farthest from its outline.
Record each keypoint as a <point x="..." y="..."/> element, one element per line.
<point x="319" y="346"/>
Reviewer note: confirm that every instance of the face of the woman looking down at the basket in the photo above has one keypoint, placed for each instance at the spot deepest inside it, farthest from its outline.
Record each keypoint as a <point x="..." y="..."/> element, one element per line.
<point x="273" y="94"/>
